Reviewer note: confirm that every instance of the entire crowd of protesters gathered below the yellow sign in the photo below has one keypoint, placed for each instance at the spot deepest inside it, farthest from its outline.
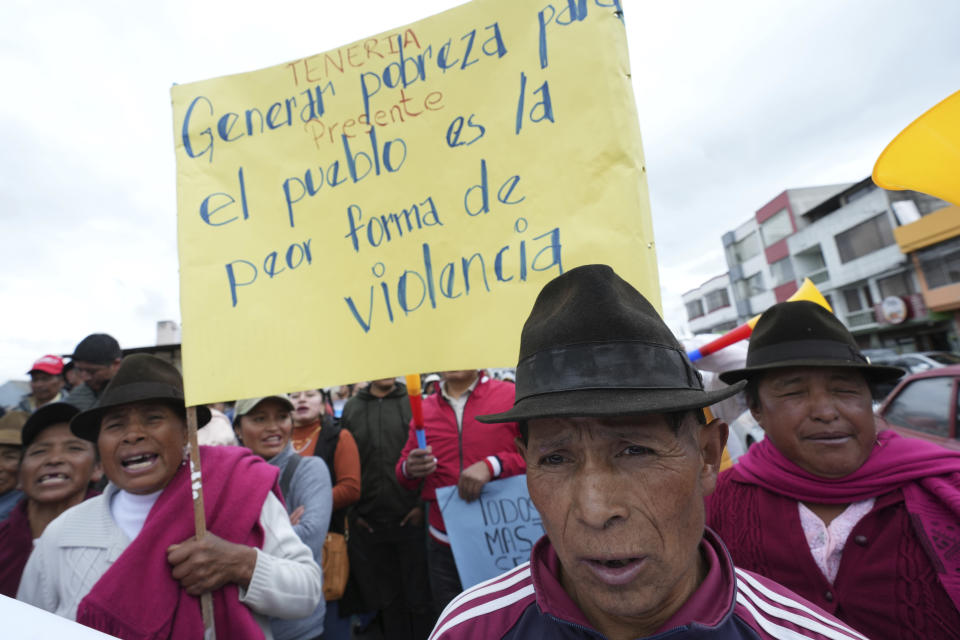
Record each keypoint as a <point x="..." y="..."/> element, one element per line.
<point x="825" y="529"/>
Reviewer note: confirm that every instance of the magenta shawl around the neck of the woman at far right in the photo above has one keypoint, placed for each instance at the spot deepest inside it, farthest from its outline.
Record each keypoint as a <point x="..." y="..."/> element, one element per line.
<point x="928" y="475"/>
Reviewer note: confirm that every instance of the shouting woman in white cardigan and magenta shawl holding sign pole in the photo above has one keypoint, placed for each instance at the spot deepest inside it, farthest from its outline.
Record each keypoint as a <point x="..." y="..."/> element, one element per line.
<point x="127" y="562"/>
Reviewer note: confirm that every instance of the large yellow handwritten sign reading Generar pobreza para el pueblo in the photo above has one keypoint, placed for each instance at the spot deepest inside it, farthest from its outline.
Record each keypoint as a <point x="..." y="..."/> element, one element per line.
<point x="395" y="204"/>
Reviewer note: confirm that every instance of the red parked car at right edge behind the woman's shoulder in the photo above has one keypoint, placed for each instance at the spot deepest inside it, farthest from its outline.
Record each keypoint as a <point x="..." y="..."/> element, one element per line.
<point x="926" y="405"/>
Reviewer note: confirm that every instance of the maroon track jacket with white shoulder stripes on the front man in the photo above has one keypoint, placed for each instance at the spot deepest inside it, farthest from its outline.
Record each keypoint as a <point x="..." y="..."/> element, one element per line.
<point x="730" y="604"/>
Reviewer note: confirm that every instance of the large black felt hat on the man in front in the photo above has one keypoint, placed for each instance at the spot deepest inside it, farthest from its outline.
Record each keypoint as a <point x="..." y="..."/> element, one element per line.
<point x="594" y="346"/>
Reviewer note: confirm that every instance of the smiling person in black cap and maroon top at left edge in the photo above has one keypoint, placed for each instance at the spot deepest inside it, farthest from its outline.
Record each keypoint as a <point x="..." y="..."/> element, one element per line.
<point x="57" y="471"/>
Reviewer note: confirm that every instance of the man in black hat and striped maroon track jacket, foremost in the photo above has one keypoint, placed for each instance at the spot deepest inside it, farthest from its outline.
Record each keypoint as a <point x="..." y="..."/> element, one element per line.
<point x="619" y="459"/>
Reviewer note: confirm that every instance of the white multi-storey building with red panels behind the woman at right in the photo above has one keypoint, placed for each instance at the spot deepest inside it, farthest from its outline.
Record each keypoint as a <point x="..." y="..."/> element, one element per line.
<point x="842" y="238"/>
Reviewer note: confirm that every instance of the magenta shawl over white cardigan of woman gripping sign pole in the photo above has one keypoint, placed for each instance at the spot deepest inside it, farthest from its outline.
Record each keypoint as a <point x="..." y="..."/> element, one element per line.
<point x="138" y="599"/>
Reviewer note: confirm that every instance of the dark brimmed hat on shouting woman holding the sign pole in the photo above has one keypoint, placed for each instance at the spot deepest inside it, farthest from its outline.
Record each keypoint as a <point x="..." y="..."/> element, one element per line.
<point x="140" y="378"/>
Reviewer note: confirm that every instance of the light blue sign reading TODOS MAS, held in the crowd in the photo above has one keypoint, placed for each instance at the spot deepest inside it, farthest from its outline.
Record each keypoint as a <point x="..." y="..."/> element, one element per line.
<point x="492" y="534"/>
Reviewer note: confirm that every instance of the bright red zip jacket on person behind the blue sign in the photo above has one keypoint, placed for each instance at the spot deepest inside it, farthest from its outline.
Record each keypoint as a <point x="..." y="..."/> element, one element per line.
<point x="456" y="449"/>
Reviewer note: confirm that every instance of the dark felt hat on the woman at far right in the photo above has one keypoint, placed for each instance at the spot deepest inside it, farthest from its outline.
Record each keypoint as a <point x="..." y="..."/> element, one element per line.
<point x="804" y="334"/>
